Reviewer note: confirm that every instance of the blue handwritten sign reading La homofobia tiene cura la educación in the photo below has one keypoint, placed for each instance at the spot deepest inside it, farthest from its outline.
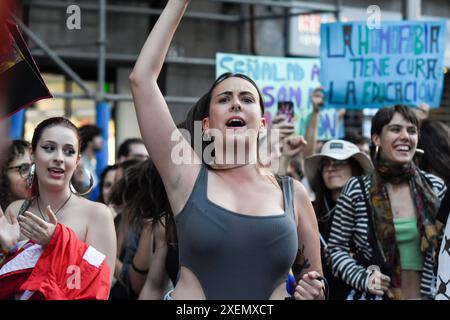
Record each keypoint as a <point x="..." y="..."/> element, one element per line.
<point x="399" y="63"/>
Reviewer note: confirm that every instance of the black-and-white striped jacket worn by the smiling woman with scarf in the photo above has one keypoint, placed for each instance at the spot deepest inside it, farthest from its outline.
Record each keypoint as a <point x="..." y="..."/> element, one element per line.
<point x="350" y="223"/>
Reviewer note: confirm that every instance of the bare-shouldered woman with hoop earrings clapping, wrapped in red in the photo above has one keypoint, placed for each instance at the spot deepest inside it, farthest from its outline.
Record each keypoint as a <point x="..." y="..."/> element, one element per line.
<point x="66" y="244"/>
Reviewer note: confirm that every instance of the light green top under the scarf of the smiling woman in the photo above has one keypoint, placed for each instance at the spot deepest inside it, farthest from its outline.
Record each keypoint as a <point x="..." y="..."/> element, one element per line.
<point x="408" y="241"/>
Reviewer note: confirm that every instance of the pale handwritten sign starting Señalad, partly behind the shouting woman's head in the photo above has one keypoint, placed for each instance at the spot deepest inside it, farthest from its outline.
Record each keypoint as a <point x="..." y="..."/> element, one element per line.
<point x="281" y="80"/>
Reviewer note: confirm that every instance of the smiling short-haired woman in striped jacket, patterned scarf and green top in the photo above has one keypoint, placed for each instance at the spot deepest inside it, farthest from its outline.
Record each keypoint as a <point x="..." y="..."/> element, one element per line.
<point x="389" y="217"/>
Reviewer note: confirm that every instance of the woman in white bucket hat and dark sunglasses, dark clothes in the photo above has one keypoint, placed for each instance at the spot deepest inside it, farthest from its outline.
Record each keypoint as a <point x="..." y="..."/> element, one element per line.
<point x="327" y="173"/>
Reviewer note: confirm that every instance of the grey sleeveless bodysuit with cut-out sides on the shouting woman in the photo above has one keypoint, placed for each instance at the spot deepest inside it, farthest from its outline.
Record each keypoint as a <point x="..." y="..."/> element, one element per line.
<point x="236" y="256"/>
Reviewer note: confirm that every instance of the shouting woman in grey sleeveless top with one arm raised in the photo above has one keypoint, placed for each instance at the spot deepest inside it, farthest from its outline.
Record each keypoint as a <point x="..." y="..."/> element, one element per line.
<point x="238" y="230"/>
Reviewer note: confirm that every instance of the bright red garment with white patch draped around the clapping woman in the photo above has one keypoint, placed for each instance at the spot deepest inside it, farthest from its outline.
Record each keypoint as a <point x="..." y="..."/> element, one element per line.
<point x="67" y="269"/>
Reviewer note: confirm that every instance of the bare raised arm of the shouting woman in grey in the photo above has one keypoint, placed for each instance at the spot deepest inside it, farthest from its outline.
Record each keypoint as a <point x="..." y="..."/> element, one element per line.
<point x="155" y="121"/>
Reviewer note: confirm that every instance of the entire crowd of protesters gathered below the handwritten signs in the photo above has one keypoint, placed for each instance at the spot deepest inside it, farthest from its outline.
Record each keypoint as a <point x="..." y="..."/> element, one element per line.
<point x="284" y="217"/>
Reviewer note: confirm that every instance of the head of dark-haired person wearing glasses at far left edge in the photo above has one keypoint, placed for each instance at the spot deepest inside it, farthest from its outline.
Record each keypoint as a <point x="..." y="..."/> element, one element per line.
<point x="14" y="172"/>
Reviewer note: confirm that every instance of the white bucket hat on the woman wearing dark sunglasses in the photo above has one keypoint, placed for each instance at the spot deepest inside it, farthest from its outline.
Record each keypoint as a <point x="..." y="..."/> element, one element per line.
<point x="338" y="150"/>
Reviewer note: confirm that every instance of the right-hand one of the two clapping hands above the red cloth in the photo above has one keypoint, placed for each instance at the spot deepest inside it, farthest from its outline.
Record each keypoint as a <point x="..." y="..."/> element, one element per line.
<point x="37" y="229"/>
